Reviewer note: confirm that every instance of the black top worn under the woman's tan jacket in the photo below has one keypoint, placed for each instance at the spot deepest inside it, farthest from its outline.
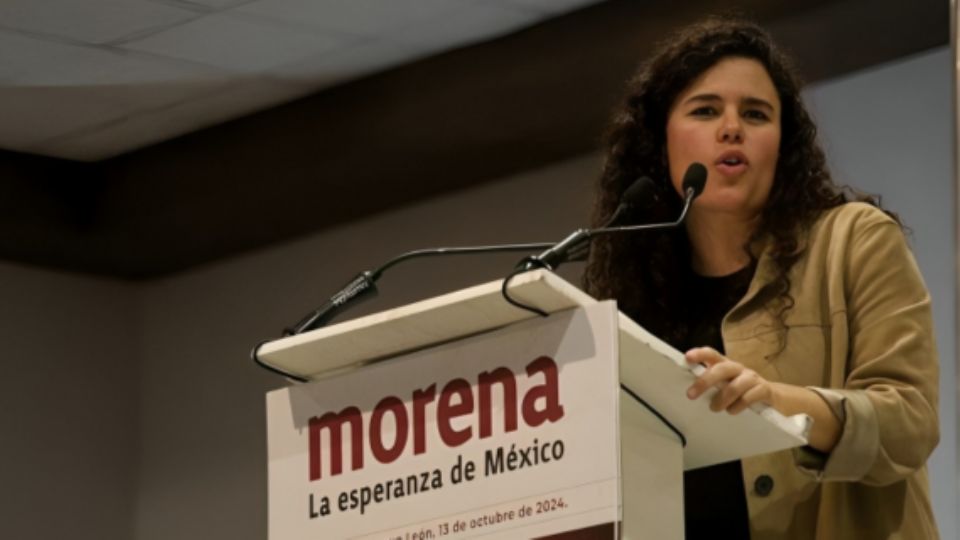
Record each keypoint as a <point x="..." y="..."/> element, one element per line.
<point x="714" y="499"/>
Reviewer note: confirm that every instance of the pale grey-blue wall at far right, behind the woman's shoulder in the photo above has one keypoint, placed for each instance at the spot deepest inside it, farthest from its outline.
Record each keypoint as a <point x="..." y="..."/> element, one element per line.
<point x="889" y="130"/>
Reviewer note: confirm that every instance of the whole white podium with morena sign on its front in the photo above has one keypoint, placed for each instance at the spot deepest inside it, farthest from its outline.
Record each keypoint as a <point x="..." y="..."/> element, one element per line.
<point x="462" y="416"/>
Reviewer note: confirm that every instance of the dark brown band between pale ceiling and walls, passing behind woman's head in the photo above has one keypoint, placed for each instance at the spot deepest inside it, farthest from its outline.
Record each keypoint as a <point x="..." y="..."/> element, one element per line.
<point x="441" y="124"/>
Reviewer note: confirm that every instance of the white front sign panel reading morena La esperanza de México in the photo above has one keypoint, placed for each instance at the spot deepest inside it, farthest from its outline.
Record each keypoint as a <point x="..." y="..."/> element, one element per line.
<point x="509" y="434"/>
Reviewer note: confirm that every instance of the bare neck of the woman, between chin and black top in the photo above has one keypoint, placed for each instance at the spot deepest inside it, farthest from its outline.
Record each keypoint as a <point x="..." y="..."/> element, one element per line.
<point x="717" y="242"/>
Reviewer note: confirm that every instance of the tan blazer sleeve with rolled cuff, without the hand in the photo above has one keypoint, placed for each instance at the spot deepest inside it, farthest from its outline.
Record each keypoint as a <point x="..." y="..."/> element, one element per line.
<point x="888" y="404"/>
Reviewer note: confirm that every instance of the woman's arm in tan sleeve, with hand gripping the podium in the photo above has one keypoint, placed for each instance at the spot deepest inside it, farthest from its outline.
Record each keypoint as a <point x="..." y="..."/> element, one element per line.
<point x="881" y="424"/>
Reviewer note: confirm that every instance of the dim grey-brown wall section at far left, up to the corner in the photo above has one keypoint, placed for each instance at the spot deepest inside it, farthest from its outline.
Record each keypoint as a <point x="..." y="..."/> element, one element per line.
<point x="68" y="412"/>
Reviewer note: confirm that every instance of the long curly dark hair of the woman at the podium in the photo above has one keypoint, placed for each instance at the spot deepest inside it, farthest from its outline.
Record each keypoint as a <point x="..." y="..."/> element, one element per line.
<point x="645" y="272"/>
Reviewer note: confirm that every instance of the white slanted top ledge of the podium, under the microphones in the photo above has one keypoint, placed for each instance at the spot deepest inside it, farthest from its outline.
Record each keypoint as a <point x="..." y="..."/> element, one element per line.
<point x="649" y="367"/>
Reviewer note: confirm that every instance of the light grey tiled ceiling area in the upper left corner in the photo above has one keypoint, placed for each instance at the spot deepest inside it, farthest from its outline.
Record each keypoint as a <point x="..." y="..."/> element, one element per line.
<point x="167" y="52"/>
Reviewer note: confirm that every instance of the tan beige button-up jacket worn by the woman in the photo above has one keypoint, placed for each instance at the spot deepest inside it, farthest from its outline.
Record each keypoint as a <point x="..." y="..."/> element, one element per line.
<point x="861" y="334"/>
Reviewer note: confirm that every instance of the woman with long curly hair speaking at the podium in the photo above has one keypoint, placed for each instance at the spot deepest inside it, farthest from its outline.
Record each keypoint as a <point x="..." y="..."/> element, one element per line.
<point x="787" y="291"/>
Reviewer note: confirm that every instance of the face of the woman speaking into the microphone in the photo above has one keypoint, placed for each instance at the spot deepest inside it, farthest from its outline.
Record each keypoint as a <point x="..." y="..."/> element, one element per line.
<point x="729" y="120"/>
